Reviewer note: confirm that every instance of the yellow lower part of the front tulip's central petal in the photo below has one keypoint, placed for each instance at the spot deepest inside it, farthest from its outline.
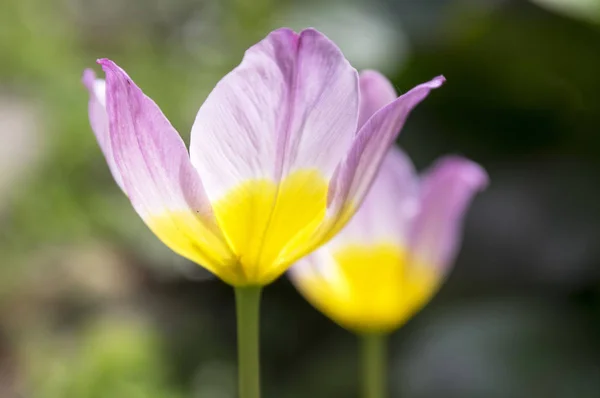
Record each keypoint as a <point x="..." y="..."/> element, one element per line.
<point x="267" y="225"/>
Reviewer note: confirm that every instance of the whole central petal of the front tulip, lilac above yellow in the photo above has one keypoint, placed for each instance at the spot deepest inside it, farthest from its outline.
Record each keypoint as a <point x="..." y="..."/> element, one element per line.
<point x="268" y="139"/>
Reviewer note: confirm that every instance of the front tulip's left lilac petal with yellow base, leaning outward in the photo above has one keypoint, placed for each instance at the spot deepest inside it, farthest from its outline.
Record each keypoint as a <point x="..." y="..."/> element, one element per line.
<point x="159" y="178"/>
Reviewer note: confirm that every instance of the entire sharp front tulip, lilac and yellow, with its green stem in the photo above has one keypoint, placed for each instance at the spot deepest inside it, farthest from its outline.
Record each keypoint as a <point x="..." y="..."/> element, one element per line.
<point x="280" y="158"/>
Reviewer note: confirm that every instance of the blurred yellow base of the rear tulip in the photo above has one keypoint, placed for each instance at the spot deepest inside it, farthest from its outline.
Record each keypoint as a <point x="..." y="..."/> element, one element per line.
<point x="371" y="288"/>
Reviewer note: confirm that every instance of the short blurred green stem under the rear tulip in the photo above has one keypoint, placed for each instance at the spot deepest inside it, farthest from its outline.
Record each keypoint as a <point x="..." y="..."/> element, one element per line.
<point x="374" y="366"/>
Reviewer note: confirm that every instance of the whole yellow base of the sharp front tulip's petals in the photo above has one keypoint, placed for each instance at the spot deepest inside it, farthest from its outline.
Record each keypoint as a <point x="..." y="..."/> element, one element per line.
<point x="266" y="225"/>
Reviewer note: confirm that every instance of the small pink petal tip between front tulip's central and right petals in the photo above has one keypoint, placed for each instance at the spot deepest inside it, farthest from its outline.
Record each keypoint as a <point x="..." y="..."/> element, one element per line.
<point x="376" y="91"/>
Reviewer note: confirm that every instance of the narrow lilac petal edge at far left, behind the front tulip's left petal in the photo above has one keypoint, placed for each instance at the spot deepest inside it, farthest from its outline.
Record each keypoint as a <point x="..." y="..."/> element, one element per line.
<point x="99" y="120"/>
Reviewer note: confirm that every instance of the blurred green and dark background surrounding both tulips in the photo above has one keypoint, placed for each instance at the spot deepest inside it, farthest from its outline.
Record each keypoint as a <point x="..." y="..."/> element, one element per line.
<point x="93" y="305"/>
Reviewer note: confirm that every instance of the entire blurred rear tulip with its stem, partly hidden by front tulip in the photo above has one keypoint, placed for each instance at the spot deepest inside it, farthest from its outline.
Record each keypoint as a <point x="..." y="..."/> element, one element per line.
<point x="394" y="253"/>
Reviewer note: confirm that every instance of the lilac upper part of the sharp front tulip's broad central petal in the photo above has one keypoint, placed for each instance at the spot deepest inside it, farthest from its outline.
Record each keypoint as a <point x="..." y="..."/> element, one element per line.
<point x="291" y="104"/>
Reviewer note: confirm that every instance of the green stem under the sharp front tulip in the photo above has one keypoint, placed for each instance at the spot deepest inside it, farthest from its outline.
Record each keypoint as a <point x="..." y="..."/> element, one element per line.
<point x="247" y="302"/>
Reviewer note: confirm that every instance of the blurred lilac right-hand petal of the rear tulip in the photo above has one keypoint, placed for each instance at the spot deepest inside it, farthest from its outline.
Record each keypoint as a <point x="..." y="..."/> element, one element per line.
<point x="446" y="192"/>
